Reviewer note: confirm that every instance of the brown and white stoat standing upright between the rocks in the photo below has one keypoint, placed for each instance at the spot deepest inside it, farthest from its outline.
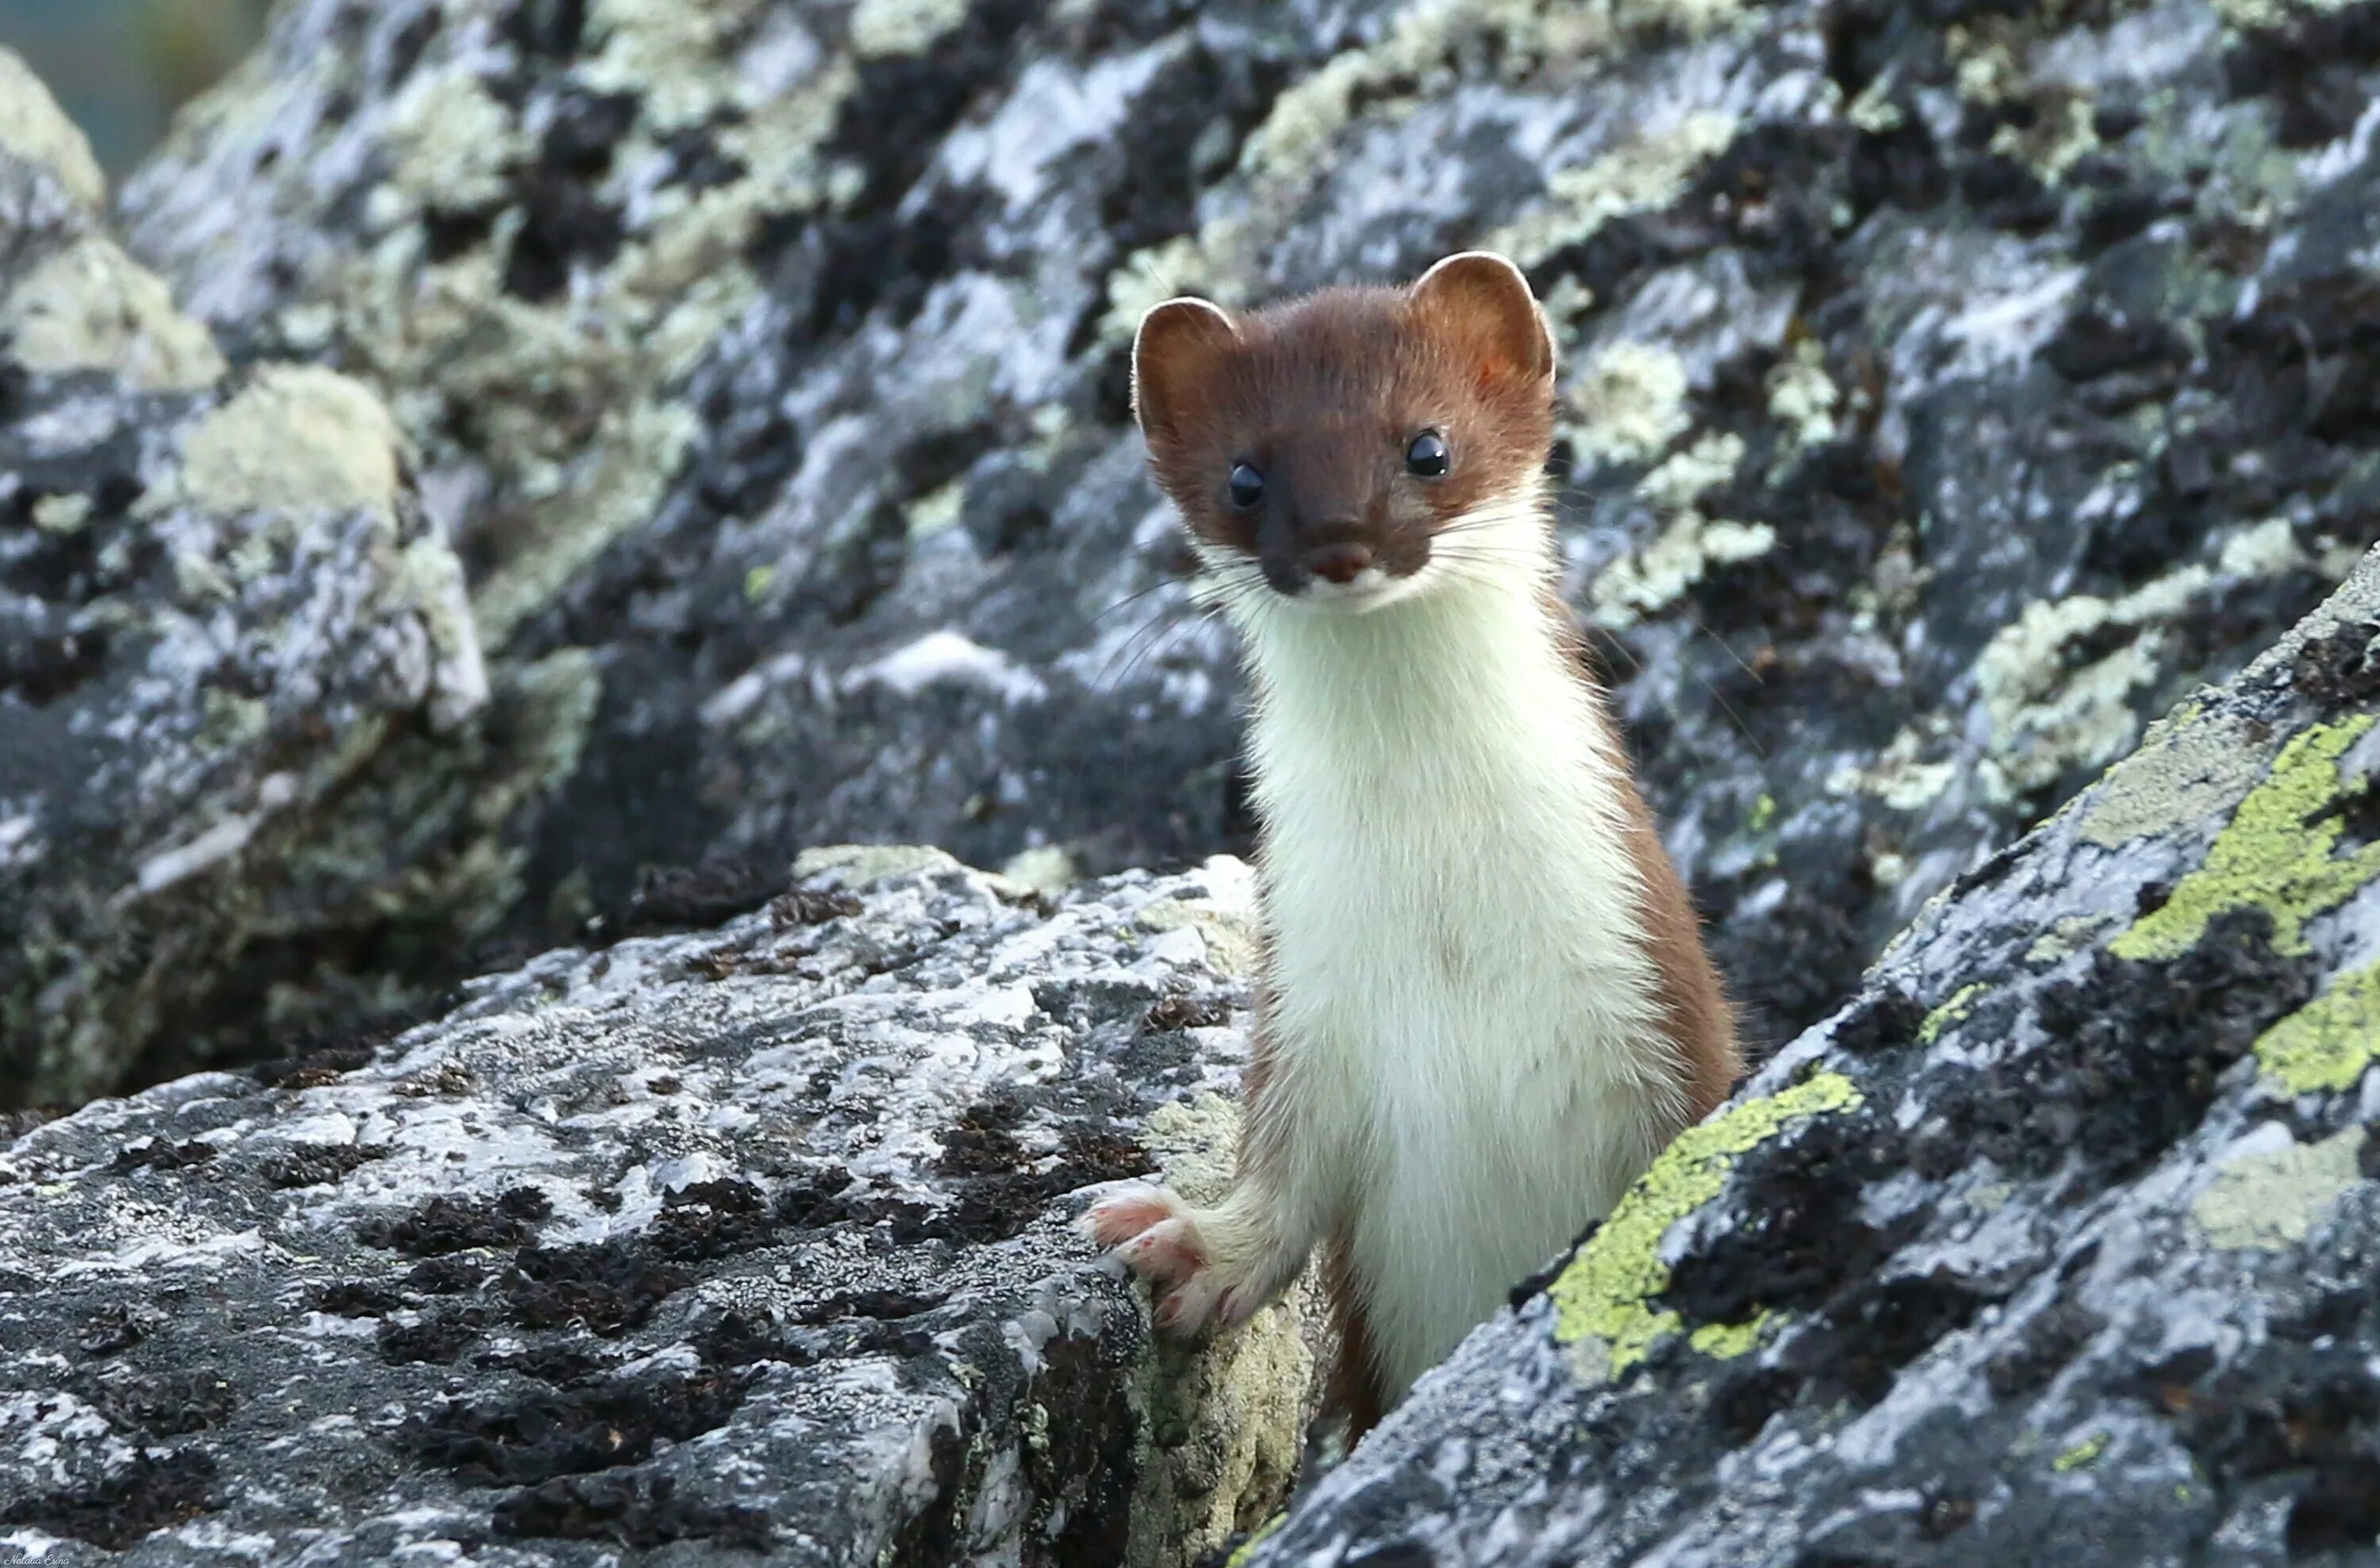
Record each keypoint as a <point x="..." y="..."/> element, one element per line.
<point x="1484" y="1001"/>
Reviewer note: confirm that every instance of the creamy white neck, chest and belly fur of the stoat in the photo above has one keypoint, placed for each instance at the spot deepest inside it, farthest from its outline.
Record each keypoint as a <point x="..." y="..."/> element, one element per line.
<point x="1465" y="1003"/>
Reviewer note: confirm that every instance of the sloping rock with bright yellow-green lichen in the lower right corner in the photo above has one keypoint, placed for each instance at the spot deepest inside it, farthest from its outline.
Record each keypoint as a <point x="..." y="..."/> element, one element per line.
<point x="2055" y="1246"/>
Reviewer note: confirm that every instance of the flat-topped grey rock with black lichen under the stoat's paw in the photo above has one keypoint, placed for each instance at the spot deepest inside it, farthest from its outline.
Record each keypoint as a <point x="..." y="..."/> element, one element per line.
<point x="687" y="1250"/>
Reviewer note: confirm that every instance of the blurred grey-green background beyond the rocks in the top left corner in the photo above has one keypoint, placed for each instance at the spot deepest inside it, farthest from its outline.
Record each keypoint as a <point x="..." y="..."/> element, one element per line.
<point x="123" y="68"/>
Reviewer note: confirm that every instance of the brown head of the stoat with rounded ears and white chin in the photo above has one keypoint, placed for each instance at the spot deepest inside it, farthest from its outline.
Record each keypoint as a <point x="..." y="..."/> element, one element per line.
<point x="1355" y="446"/>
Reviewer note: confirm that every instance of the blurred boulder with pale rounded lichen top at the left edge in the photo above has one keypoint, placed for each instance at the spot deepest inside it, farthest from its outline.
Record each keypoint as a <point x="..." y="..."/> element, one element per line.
<point x="218" y="606"/>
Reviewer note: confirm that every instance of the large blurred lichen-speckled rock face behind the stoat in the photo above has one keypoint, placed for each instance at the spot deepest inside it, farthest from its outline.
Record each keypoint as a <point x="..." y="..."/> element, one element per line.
<point x="1948" y="389"/>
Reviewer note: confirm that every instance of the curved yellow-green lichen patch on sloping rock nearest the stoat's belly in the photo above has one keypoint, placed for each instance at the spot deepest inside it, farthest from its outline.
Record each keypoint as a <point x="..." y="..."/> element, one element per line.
<point x="1608" y="1291"/>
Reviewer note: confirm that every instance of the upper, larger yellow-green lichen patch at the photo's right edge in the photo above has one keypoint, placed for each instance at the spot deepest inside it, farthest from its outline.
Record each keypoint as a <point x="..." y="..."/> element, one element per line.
<point x="2276" y="855"/>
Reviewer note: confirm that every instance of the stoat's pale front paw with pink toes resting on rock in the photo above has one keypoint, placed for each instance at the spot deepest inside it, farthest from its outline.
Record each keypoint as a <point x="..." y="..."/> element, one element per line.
<point x="1213" y="1267"/>
